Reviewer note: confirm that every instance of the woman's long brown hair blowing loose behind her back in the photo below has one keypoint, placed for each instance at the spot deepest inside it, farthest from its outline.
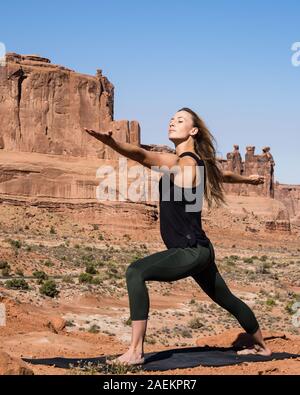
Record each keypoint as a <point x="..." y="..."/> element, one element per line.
<point x="204" y="147"/>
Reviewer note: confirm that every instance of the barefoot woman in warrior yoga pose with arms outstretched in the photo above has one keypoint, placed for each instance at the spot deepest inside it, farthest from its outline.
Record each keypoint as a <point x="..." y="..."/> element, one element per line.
<point x="189" y="251"/>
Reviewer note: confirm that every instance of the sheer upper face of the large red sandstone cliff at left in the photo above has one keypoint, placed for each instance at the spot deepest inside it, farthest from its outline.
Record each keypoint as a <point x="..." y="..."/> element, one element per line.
<point x="43" y="108"/>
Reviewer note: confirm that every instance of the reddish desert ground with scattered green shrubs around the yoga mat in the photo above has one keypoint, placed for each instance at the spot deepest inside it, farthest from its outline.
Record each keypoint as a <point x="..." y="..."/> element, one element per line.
<point x="64" y="290"/>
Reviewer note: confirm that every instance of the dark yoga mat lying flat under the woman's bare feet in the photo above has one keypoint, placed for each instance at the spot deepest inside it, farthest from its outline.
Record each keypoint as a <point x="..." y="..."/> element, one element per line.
<point x="173" y="359"/>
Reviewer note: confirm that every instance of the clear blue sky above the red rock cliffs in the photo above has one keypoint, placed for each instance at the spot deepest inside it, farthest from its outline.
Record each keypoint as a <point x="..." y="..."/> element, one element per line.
<point x="228" y="60"/>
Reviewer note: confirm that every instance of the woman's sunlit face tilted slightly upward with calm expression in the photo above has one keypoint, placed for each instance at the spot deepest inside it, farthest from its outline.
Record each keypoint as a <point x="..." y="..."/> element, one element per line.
<point x="181" y="126"/>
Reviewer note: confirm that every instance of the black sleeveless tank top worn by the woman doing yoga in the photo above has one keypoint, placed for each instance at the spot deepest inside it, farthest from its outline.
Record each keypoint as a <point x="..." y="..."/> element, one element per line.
<point x="178" y="227"/>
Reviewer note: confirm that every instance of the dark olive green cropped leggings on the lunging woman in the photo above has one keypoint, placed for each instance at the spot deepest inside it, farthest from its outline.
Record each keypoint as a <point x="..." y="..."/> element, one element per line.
<point x="177" y="263"/>
